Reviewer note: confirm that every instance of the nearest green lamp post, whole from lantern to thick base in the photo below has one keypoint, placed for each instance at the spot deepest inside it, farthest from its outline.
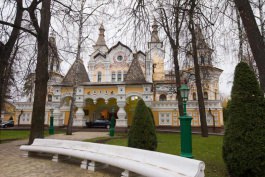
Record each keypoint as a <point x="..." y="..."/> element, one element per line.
<point x="185" y="125"/>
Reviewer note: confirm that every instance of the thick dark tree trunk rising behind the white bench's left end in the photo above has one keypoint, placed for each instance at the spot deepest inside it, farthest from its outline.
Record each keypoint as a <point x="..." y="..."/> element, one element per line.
<point x="38" y="113"/>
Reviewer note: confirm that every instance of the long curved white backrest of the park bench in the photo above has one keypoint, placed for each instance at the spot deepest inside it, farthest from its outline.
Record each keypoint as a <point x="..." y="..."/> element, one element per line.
<point x="189" y="167"/>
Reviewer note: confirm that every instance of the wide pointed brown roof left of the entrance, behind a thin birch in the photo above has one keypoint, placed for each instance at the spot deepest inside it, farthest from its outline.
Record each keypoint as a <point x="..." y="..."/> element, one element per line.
<point x="77" y="73"/>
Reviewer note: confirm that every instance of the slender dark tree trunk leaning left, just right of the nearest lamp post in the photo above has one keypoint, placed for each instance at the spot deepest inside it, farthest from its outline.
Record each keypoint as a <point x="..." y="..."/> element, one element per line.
<point x="204" y="128"/>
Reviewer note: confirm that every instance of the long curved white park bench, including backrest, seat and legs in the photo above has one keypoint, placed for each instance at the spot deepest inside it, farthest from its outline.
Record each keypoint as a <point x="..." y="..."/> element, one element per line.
<point x="143" y="162"/>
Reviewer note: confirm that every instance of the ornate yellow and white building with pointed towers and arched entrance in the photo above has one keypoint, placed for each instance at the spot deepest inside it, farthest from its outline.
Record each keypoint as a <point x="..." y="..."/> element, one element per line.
<point x="117" y="77"/>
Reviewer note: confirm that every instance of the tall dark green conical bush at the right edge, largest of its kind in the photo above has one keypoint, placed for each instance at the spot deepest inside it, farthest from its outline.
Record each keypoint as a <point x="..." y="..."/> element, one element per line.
<point x="244" y="140"/>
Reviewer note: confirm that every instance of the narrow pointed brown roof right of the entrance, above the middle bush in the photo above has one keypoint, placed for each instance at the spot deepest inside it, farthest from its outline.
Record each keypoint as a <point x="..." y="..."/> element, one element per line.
<point x="135" y="73"/>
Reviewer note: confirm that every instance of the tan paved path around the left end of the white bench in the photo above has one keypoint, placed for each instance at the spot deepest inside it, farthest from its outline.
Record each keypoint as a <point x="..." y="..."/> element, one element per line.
<point x="12" y="164"/>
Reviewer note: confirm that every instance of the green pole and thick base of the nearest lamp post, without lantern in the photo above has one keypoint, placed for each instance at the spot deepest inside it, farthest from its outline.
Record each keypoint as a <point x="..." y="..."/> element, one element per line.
<point x="185" y="129"/>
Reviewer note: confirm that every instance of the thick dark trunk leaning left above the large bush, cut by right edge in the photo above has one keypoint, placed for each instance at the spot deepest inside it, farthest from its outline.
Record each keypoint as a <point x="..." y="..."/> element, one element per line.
<point x="254" y="37"/>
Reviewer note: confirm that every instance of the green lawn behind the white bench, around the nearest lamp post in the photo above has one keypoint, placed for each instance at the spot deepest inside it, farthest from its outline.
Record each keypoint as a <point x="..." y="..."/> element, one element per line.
<point x="208" y="150"/>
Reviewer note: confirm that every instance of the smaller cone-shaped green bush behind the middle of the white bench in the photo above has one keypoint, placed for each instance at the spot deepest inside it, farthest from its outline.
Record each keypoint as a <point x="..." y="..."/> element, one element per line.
<point x="142" y="133"/>
